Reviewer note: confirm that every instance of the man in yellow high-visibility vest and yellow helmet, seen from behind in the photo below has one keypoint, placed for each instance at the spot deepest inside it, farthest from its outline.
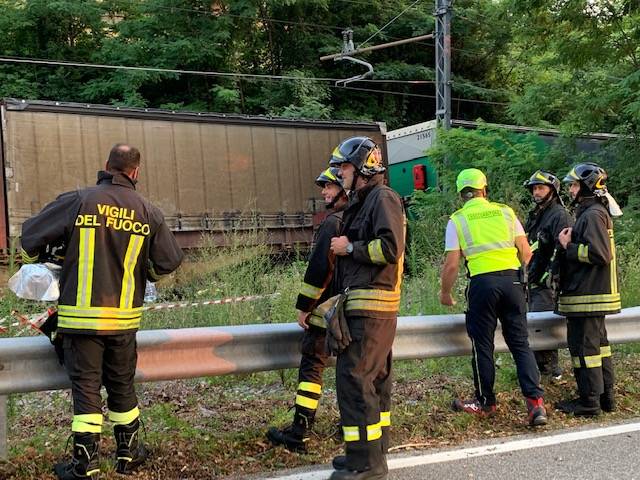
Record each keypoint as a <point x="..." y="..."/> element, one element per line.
<point x="492" y="242"/>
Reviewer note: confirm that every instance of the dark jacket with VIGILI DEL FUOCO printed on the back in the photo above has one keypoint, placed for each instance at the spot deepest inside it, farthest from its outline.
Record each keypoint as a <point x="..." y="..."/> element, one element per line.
<point x="114" y="240"/>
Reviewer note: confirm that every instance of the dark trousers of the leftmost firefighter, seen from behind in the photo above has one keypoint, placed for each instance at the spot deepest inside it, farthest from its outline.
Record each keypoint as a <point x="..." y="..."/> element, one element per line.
<point x="95" y="360"/>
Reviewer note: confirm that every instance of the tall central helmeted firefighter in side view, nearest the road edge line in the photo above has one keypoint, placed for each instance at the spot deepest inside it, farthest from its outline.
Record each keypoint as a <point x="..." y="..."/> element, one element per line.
<point x="370" y="252"/>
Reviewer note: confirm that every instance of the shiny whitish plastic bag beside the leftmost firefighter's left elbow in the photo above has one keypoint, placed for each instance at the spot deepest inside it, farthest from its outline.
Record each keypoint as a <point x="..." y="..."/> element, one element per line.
<point x="37" y="281"/>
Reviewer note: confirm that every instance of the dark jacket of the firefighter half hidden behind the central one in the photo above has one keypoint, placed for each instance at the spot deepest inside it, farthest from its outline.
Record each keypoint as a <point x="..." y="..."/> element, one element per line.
<point x="317" y="284"/>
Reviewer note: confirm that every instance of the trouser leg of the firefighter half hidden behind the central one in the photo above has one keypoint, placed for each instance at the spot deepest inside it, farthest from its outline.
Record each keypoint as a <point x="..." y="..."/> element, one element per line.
<point x="312" y="365"/>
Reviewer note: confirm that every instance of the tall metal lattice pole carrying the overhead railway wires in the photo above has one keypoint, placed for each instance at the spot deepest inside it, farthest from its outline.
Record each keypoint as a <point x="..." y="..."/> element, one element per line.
<point x="443" y="63"/>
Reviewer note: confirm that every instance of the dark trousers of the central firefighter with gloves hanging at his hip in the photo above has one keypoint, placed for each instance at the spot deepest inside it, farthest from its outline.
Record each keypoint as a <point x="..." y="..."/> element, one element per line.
<point x="363" y="382"/>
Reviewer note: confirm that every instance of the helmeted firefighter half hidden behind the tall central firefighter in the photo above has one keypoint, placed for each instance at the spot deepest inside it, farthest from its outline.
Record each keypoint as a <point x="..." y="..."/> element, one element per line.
<point x="316" y="288"/>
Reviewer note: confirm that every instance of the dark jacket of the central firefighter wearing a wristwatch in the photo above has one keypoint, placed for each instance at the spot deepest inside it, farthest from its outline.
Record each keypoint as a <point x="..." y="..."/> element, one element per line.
<point x="374" y="222"/>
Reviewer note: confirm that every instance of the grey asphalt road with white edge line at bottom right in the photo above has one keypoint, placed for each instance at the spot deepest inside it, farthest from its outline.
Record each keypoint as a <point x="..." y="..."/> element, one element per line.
<point x="593" y="452"/>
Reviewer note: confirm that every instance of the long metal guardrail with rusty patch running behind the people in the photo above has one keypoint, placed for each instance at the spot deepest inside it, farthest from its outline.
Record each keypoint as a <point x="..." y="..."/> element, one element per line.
<point x="29" y="364"/>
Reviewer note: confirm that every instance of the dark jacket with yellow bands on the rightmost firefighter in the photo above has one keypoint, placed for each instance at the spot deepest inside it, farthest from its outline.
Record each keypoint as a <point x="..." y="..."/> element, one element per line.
<point x="588" y="276"/>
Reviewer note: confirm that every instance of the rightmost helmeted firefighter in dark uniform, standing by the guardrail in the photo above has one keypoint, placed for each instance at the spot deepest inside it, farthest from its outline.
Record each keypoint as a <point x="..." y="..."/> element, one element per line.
<point x="589" y="290"/>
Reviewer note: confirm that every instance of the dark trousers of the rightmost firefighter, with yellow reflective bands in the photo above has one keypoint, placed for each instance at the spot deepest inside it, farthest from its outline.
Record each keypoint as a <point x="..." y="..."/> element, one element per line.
<point x="591" y="357"/>
